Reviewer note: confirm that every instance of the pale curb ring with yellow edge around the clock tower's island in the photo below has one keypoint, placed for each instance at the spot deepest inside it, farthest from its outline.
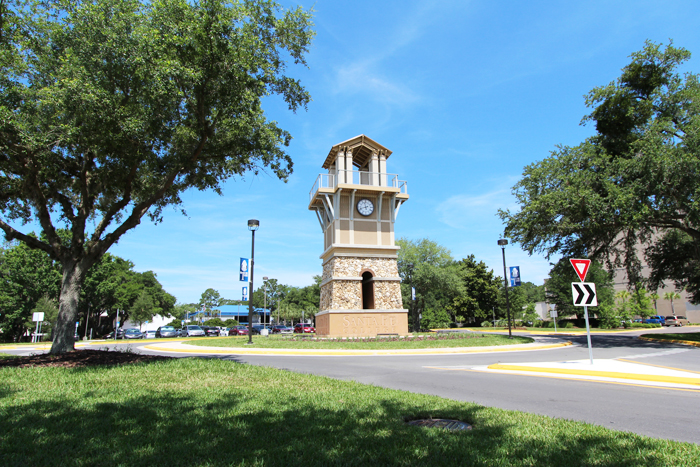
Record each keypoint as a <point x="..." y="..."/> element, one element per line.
<point x="331" y="352"/>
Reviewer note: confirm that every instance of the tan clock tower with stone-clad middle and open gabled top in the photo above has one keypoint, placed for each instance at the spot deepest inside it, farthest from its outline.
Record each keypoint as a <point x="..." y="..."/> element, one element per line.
<point x="357" y="203"/>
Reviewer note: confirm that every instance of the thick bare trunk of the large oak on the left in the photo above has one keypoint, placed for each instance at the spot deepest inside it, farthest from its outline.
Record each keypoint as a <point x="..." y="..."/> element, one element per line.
<point x="72" y="283"/>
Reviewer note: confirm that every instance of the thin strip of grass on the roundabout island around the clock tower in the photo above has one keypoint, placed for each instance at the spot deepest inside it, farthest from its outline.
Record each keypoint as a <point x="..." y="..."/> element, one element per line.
<point x="297" y="342"/>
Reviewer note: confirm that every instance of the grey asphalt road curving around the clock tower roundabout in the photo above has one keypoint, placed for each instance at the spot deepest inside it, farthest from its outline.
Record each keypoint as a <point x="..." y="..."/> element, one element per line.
<point x="651" y="411"/>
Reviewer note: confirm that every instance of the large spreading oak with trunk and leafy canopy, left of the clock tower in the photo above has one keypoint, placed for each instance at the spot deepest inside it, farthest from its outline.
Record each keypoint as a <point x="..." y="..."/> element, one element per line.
<point x="110" y="109"/>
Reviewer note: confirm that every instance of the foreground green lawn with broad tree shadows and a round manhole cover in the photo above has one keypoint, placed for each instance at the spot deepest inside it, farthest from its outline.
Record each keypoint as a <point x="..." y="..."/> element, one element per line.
<point x="210" y="412"/>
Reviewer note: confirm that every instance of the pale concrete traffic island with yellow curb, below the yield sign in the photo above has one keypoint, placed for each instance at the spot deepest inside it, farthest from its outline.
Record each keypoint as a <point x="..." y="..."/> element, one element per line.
<point x="602" y="370"/>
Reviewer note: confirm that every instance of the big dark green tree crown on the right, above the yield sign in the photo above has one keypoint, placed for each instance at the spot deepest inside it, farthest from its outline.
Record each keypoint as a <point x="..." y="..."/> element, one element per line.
<point x="634" y="182"/>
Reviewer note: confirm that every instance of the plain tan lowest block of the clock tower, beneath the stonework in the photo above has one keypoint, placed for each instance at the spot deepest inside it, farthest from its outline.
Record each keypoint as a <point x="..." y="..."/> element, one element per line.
<point x="361" y="323"/>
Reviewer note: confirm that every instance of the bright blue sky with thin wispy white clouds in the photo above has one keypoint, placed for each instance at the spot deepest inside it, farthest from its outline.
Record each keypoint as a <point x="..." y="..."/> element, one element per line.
<point x="465" y="94"/>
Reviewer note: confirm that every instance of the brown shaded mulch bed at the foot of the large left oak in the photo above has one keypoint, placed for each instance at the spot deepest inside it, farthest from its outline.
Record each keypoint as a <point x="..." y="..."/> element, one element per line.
<point x="80" y="358"/>
